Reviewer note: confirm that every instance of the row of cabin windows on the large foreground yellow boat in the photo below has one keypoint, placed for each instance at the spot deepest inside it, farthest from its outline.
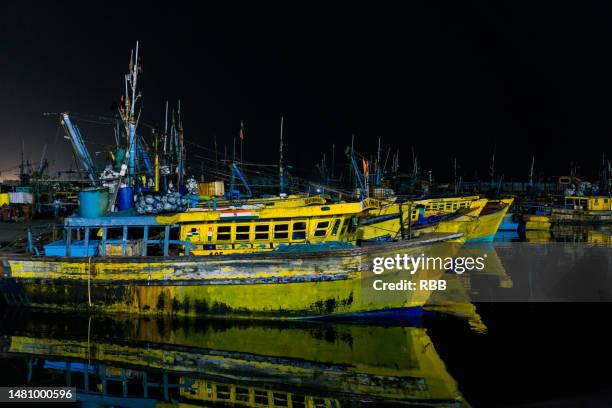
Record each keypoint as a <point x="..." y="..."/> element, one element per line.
<point x="279" y="231"/>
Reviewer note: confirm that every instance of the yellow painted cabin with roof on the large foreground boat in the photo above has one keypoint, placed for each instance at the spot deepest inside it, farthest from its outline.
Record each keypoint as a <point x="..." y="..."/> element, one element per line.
<point x="260" y="230"/>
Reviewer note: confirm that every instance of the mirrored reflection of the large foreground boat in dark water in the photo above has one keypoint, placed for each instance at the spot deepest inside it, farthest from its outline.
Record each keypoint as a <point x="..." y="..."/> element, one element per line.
<point x="150" y="362"/>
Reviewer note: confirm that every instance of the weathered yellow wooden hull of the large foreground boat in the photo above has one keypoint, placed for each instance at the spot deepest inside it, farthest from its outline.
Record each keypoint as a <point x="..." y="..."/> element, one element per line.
<point x="274" y="285"/>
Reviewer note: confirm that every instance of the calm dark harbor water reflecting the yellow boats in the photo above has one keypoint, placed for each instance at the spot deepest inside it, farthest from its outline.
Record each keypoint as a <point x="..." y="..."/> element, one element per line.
<point x="458" y="354"/>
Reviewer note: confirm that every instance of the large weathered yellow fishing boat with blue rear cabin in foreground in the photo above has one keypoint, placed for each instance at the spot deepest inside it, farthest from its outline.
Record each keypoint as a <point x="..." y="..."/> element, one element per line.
<point x="271" y="263"/>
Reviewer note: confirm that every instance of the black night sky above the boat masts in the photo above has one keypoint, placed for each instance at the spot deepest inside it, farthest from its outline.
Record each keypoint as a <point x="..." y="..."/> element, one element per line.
<point x="451" y="79"/>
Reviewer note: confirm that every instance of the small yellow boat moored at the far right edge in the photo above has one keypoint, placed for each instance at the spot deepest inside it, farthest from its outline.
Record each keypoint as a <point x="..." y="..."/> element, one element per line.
<point x="583" y="210"/>
